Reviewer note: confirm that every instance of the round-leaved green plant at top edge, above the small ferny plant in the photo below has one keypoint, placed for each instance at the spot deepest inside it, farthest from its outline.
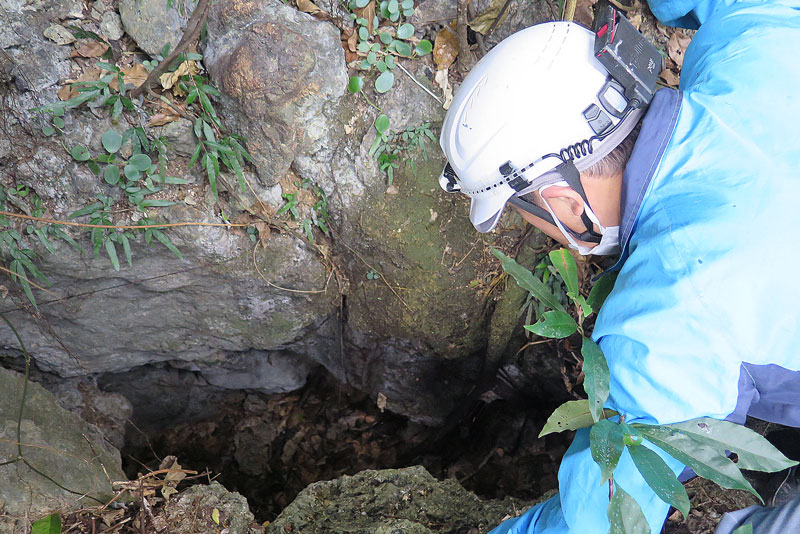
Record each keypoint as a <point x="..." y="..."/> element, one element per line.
<point x="382" y="39"/>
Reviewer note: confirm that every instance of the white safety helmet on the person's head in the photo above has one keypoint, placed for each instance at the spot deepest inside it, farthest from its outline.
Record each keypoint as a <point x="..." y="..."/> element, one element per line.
<point x="533" y="102"/>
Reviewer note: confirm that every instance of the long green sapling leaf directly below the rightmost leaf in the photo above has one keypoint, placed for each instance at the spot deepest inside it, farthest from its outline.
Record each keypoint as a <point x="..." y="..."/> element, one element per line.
<point x="705" y="460"/>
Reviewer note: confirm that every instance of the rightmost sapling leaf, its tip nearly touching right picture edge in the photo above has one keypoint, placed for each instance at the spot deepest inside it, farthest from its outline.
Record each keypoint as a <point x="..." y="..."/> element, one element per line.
<point x="755" y="452"/>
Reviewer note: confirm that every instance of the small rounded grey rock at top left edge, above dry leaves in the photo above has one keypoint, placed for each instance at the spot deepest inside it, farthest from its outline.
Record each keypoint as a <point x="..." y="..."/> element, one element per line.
<point x="152" y="25"/>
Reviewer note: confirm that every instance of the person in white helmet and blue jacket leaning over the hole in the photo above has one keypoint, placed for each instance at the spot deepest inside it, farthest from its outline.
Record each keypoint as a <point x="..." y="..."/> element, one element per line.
<point x="702" y="320"/>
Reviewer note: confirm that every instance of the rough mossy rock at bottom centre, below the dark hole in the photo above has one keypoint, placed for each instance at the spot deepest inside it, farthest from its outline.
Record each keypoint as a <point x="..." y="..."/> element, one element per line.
<point x="406" y="500"/>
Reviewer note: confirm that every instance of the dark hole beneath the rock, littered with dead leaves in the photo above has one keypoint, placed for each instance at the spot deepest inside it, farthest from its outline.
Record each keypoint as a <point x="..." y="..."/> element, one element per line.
<point x="269" y="447"/>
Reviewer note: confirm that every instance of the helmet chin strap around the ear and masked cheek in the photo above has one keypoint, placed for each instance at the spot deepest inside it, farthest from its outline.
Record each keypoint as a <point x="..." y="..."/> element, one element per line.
<point x="568" y="173"/>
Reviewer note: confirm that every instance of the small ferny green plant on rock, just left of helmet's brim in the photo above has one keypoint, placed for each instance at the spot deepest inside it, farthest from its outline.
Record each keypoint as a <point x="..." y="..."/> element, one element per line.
<point x="389" y="145"/>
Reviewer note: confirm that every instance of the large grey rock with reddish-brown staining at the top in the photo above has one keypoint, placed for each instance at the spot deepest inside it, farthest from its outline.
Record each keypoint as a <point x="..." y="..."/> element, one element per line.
<point x="278" y="67"/>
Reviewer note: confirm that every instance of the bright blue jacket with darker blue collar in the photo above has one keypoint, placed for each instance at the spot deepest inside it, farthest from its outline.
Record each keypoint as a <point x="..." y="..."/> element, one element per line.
<point x="703" y="319"/>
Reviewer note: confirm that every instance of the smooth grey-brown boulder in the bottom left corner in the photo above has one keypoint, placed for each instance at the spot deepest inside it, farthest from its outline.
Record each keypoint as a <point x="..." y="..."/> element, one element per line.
<point x="77" y="463"/>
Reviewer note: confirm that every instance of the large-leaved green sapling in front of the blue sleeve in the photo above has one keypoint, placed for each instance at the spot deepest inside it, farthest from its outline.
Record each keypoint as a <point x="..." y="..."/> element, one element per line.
<point x="701" y="444"/>
